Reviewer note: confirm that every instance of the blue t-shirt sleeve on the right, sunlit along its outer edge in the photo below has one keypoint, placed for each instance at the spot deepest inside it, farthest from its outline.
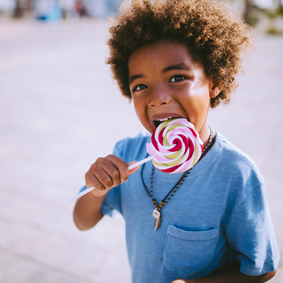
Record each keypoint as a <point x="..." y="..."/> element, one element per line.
<point x="251" y="234"/>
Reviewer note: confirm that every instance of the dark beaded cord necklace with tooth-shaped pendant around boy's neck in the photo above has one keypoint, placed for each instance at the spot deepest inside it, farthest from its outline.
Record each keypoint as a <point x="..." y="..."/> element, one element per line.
<point x="157" y="211"/>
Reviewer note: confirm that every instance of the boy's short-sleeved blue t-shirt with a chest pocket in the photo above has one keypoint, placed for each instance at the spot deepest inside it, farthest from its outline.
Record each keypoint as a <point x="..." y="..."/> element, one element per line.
<point x="219" y="215"/>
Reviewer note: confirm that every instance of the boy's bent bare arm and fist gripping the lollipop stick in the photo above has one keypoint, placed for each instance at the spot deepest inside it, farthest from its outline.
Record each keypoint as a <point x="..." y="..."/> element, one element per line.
<point x="104" y="175"/>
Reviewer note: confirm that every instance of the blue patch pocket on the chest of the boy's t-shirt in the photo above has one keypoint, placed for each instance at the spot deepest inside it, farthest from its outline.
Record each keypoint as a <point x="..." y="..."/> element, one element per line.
<point x="189" y="252"/>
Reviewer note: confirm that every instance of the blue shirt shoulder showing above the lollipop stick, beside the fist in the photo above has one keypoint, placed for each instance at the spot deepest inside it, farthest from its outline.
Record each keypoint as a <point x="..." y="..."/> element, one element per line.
<point x="132" y="147"/>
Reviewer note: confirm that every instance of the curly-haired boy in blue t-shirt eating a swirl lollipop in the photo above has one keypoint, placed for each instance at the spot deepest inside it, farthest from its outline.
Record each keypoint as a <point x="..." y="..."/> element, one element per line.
<point x="177" y="59"/>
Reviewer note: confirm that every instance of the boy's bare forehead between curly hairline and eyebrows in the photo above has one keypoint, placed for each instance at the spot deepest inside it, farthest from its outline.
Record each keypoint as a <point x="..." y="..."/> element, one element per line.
<point x="161" y="54"/>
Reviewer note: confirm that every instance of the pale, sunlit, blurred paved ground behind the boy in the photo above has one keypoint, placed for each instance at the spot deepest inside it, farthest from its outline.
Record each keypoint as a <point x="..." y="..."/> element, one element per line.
<point x="59" y="110"/>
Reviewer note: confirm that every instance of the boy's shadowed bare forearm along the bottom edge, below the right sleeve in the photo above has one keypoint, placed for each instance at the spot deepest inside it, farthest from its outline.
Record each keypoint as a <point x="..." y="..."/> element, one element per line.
<point x="231" y="274"/>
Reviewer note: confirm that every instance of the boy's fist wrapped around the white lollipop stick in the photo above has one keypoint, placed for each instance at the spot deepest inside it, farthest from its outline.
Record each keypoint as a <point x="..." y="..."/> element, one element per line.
<point x="106" y="173"/>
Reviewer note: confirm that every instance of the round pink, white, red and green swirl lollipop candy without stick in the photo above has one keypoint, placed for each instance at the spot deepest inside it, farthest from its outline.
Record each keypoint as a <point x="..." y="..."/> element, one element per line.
<point x="175" y="146"/>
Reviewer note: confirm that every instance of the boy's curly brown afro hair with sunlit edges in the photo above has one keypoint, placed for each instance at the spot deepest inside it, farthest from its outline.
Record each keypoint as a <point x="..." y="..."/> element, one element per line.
<point x="212" y="34"/>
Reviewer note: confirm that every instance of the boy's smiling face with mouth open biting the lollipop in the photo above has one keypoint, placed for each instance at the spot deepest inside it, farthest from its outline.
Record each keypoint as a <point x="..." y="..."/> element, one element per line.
<point x="166" y="82"/>
